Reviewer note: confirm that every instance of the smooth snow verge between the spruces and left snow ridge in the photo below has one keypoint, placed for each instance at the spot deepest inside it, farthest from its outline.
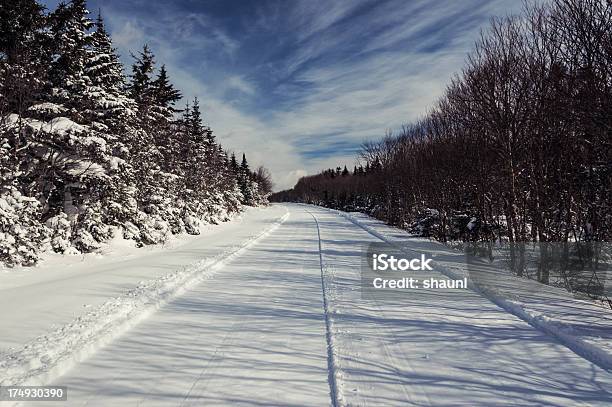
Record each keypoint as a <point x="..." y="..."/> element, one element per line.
<point x="63" y="287"/>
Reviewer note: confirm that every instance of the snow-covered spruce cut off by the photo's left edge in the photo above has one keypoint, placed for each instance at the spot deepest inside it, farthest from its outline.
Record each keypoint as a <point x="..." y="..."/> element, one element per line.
<point x="22" y="67"/>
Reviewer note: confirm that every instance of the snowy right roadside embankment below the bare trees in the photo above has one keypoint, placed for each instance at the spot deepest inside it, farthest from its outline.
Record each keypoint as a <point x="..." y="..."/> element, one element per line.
<point x="581" y="325"/>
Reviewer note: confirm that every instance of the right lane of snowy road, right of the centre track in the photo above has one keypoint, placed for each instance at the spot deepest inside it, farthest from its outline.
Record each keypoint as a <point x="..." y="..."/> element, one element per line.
<point x="445" y="347"/>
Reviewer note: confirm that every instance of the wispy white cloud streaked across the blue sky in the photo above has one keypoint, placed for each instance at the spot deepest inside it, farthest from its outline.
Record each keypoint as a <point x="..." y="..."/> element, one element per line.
<point x="354" y="99"/>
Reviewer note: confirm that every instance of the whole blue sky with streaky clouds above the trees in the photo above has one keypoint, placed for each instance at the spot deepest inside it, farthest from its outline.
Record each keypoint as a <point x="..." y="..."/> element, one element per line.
<point x="300" y="84"/>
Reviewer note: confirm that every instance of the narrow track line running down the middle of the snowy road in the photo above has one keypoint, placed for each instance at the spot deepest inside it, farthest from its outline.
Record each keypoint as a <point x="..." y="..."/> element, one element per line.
<point x="333" y="368"/>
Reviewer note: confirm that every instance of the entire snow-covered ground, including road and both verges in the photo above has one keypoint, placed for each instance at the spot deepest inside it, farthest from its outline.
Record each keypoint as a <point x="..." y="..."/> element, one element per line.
<point x="284" y="322"/>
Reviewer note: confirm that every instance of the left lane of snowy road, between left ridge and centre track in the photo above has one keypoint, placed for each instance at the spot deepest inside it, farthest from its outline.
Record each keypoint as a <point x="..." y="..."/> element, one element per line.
<point x="253" y="334"/>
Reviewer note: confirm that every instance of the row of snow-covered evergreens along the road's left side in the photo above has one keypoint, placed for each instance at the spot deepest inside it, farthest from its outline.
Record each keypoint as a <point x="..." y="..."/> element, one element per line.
<point x="87" y="152"/>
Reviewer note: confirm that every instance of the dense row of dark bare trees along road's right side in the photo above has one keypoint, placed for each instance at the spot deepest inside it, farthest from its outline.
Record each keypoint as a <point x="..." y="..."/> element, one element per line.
<point x="517" y="149"/>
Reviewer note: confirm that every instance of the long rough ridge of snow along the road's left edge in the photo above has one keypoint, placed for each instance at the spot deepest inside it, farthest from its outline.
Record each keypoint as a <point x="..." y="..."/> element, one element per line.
<point x="49" y="355"/>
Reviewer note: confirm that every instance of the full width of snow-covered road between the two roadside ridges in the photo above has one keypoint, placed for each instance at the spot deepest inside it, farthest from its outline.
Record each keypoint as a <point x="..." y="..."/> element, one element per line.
<point x="261" y="332"/>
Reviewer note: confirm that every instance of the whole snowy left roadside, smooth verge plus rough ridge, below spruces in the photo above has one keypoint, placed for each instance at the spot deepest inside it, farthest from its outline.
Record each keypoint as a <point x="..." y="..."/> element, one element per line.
<point x="114" y="289"/>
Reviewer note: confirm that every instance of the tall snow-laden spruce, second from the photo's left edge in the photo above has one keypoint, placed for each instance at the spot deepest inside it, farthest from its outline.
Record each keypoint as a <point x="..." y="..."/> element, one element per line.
<point x="78" y="151"/>
